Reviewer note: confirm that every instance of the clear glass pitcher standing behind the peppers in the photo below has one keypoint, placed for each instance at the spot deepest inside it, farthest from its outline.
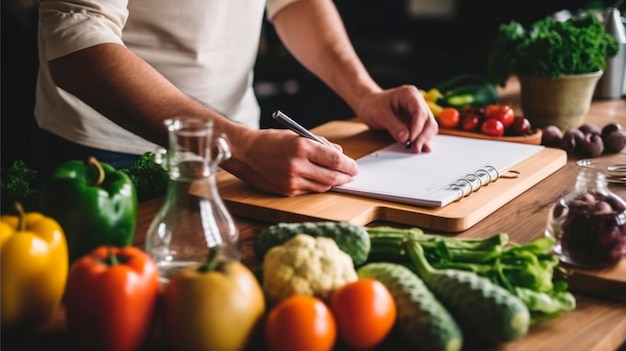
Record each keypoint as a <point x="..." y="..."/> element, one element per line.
<point x="193" y="219"/>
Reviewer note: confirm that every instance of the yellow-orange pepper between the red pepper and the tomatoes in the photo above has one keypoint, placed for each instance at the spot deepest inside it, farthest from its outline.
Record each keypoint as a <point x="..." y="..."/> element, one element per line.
<point x="215" y="306"/>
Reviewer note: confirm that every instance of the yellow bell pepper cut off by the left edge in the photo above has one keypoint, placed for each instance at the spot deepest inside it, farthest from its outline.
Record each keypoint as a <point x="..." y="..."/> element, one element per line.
<point x="34" y="268"/>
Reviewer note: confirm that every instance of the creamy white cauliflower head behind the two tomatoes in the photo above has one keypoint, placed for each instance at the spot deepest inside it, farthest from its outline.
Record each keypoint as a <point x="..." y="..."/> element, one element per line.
<point x="306" y="265"/>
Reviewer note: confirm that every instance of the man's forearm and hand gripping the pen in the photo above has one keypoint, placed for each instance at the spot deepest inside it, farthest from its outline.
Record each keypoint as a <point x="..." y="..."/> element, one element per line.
<point x="123" y="87"/>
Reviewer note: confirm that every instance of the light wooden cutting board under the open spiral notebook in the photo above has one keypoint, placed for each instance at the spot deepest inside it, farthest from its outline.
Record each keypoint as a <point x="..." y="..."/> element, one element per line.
<point x="358" y="140"/>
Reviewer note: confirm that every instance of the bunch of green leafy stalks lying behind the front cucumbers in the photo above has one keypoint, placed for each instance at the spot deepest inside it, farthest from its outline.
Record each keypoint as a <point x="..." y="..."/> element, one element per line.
<point x="525" y="270"/>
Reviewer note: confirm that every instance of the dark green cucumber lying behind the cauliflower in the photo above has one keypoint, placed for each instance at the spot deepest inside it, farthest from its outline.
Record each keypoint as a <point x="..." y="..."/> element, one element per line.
<point x="351" y="238"/>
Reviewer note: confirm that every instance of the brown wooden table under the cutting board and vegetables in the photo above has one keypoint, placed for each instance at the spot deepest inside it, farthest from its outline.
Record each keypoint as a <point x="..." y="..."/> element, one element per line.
<point x="597" y="324"/>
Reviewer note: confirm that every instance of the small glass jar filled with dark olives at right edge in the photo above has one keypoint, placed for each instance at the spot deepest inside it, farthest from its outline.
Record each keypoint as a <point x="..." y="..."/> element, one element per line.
<point x="589" y="223"/>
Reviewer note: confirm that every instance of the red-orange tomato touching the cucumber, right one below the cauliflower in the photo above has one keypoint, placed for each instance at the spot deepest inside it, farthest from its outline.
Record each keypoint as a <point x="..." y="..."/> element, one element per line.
<point x="365" y="312"/>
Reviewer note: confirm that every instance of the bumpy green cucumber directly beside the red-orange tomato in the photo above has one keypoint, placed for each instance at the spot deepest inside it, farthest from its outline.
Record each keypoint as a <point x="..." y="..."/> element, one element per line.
<point x="421" y="319"/>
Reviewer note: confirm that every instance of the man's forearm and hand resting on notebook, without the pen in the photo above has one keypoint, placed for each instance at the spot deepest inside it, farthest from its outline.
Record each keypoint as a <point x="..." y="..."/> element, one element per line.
<point x="313" y="32"/>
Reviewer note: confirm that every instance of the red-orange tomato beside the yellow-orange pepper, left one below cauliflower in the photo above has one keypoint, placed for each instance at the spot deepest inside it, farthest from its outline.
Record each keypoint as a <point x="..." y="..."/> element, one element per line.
<point x="300" y="322"/>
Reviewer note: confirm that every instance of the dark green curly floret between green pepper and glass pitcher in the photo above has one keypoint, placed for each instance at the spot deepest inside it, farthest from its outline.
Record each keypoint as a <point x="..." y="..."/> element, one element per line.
<point x="149" y="177"/>
